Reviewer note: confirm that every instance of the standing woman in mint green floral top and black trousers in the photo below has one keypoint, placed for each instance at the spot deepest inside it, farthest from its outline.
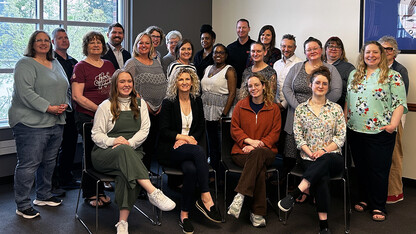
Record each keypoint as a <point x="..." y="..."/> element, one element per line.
<point x="375" y="102"/>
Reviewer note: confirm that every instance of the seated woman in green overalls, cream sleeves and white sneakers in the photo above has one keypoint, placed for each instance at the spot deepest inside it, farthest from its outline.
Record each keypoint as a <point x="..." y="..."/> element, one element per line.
<point x="121" y="125"/>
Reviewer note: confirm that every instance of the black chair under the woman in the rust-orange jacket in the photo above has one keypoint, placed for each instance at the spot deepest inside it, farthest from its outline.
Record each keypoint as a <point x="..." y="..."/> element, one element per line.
<point x="229" y="166"/>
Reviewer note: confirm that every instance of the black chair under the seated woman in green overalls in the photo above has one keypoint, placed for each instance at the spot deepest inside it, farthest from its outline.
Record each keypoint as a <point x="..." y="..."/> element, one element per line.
<point x="88" y="170"/>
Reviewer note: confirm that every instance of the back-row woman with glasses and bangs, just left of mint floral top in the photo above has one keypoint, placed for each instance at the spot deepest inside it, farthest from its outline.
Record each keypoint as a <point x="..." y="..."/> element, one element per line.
<point x="335" y="55"/>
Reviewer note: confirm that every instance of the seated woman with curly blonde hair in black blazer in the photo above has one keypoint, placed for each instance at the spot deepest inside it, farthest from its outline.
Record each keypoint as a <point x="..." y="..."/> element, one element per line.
<point x="181" y="130"/>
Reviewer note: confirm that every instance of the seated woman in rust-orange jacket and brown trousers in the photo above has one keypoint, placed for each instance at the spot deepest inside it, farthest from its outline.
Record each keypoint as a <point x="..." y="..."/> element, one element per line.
<point x="255" y="128"/>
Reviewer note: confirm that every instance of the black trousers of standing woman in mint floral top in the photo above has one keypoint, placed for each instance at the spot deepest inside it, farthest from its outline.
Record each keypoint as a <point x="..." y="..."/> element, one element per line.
<point x="372" y="154"/>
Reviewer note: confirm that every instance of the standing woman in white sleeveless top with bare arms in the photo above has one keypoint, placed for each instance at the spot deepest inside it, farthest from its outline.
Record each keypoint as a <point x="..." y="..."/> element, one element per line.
<point x="218" y="94"/>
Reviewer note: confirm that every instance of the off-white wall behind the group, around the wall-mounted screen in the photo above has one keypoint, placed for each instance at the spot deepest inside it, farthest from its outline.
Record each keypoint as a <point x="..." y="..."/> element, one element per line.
<point x="321" y="19"/>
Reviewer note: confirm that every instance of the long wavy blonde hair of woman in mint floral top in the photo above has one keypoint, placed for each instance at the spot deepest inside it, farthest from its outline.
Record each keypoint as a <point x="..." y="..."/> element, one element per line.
<point x="362" y="66"/>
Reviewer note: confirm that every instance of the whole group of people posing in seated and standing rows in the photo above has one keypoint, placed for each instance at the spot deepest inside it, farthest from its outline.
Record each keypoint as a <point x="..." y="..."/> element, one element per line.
<point x="144" y="106"/>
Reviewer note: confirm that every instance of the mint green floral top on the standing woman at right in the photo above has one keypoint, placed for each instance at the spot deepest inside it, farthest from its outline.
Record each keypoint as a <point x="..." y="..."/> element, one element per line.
<point x="371" y="104"/>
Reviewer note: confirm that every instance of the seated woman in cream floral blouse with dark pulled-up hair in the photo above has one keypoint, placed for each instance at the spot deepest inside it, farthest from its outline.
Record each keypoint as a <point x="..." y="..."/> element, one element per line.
<point x="321" y="155"/>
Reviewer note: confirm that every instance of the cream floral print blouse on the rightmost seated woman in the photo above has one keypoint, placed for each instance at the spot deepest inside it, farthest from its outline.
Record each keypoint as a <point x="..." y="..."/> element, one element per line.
<point x="318" y="130"/>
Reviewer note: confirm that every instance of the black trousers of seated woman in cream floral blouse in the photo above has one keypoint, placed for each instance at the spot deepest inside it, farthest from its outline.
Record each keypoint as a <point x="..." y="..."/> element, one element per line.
<point x="318" y="173"/>
